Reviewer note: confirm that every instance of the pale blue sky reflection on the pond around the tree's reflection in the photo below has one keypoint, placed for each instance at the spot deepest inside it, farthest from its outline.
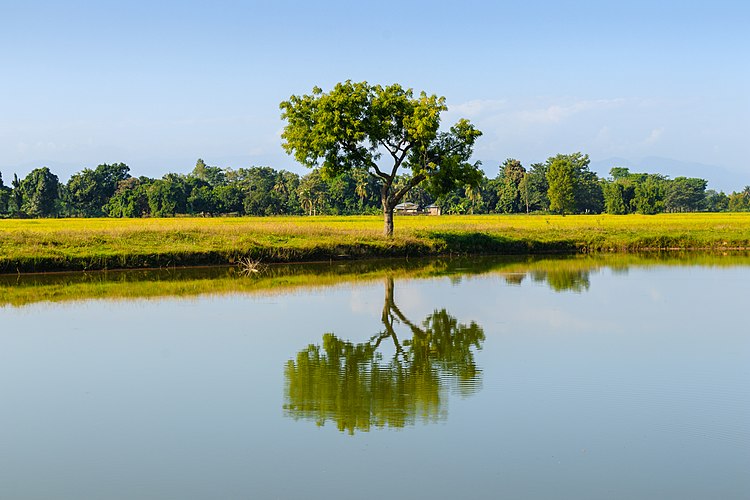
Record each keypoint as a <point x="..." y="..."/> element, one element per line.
<point x="634" y="388"/>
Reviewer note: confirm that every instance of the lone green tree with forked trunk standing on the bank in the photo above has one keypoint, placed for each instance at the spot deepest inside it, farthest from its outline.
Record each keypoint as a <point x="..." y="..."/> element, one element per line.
<point x="357" y="126"/>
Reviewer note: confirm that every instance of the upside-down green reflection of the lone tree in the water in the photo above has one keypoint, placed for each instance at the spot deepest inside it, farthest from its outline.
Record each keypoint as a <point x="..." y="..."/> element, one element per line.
<point x="353" y="385"/>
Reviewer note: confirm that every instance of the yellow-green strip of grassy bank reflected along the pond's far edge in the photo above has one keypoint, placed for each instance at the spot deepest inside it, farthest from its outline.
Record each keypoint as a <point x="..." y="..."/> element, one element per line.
<point x="564" y="273"/>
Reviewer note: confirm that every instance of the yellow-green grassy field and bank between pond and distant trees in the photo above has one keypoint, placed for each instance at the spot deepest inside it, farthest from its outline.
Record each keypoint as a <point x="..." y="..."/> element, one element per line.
<point x="90" y="244"/>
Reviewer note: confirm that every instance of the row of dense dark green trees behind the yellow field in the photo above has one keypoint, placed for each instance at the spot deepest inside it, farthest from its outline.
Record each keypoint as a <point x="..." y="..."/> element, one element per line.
<point x="562" y="184"/>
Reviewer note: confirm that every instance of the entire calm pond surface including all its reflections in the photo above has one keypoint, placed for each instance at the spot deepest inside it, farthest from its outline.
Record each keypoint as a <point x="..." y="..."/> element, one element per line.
<point x="576" y="378"/>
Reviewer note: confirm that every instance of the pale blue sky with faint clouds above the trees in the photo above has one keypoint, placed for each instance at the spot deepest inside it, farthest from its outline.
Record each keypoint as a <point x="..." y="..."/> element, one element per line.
<point x="158" y="85"/>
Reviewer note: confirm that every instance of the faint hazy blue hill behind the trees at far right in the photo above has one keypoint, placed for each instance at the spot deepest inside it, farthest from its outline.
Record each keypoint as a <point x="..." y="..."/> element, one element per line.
<point x="719" y="178"/>
